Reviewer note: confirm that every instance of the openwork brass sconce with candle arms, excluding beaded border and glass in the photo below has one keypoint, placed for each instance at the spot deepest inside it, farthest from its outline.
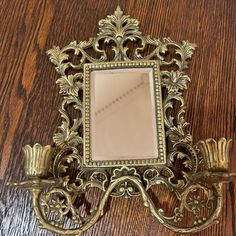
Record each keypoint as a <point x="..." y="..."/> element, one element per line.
<point x="55" y="187"/>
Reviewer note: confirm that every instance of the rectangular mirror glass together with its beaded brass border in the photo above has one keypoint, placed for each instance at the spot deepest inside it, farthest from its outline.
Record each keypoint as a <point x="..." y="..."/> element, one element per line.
<point x="125" y="114"/>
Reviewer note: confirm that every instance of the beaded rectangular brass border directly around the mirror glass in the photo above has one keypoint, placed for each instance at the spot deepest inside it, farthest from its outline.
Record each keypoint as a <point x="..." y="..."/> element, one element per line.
<point x="87" y="158"/>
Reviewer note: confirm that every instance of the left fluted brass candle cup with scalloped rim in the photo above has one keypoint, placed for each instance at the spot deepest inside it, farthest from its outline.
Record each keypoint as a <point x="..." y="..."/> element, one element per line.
<point x="37" y="160"/>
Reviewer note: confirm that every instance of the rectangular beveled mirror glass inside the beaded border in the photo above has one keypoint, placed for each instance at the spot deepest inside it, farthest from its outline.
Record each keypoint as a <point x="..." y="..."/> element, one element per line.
<point x="123" y="121"/>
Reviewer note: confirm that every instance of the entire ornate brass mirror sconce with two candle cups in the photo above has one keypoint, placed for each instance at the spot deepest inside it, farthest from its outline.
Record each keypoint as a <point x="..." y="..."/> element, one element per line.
<point x="123" y="131"/>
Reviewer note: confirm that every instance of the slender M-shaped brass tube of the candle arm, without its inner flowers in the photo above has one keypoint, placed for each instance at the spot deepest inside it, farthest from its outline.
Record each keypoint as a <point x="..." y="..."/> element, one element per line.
<point x="157" y="213"/>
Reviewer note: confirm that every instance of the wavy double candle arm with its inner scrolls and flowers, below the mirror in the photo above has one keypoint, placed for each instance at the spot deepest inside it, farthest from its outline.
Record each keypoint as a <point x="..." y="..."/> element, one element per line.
<point x="52" y="203"/>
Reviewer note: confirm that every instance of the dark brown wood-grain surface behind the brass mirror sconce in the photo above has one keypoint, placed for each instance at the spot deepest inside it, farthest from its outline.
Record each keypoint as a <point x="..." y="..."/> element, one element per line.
<point x="29" y="97"/>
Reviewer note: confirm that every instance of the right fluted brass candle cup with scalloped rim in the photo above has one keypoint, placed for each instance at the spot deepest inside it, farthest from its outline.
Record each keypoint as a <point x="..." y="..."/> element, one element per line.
<point x="215" y="154"/>
